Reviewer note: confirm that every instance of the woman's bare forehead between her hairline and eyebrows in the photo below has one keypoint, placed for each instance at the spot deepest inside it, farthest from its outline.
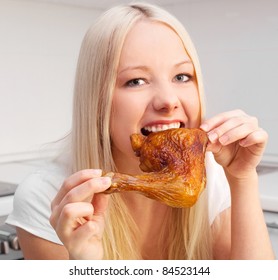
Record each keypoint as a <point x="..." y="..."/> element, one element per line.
<point x="151" y="40"/>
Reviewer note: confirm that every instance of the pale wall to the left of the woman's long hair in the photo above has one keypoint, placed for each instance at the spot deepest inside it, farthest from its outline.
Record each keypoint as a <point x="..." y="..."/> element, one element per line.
<point x="38" y="52"/>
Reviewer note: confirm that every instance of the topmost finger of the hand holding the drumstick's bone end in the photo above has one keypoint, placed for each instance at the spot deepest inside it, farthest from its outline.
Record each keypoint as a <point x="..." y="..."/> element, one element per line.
<point x="74" y="180"/>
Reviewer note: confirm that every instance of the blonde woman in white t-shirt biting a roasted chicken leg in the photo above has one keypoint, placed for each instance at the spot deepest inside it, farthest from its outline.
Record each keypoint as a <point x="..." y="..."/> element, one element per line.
<point x="137" y="71"/>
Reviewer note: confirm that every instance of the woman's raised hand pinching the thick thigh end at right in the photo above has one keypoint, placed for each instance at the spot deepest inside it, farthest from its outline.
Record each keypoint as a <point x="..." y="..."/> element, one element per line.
<point x="236" y="141"/>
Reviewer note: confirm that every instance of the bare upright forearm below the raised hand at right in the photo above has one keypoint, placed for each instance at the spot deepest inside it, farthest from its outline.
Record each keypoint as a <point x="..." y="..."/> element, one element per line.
<point x="250" y="238"/>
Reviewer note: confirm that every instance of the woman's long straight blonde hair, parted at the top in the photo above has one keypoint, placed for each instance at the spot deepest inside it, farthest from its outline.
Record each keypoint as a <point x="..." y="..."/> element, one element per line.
<point x="187" y="230"/>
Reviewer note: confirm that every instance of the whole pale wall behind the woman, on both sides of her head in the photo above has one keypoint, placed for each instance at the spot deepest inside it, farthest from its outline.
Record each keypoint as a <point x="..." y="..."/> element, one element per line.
<point x="237" y="43"/>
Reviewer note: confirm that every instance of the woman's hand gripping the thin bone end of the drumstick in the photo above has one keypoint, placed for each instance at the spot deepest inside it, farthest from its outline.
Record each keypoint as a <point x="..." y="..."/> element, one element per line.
<point x="78" y="213"/>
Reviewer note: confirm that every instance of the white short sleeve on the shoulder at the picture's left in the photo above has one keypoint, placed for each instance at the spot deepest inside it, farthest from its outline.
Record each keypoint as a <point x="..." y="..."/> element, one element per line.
<point x="32" y="203"/>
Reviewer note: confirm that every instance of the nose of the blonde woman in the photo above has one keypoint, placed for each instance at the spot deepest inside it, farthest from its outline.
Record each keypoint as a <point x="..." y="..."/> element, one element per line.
<point x="165" y="100"/>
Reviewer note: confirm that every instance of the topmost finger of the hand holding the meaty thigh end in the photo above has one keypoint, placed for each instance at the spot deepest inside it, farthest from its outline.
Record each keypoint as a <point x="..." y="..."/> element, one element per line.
<point x="219" y="119"/>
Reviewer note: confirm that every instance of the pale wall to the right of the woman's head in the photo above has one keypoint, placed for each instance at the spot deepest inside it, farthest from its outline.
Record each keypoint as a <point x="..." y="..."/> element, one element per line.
<point x="238" y="48"/>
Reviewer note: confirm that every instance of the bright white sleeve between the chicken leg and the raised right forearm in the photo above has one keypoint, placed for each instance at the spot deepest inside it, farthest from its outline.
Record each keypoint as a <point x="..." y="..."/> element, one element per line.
<point x="217" y="187"/>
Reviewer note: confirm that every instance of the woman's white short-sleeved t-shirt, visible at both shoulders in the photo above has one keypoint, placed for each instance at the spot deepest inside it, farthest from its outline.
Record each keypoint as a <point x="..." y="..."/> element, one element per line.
<point x="31" y="210"/>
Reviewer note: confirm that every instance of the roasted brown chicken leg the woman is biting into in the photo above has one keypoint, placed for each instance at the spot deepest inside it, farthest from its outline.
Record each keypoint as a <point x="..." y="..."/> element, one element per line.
<point x="174" y="160"/>
